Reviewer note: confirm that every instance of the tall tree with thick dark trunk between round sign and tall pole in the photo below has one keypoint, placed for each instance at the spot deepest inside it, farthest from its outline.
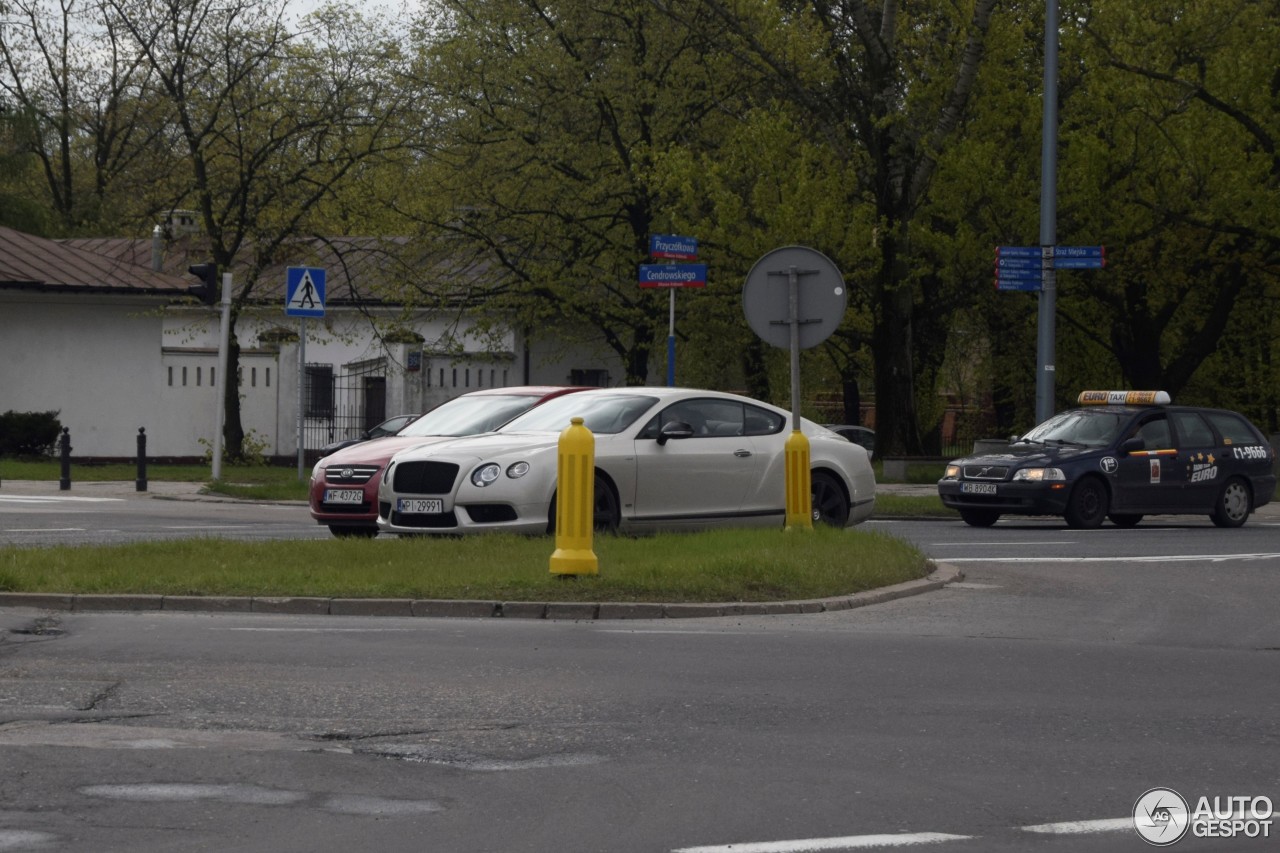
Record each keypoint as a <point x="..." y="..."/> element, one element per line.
<point x="886" y="89"/>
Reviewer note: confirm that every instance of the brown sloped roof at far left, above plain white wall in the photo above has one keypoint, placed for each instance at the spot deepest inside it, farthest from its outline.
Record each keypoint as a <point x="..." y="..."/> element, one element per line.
<point x="34" y="263"/>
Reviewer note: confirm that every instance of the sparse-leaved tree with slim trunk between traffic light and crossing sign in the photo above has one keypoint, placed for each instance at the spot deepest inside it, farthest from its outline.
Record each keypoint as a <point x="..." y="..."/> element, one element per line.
<point x="269" y="125"/>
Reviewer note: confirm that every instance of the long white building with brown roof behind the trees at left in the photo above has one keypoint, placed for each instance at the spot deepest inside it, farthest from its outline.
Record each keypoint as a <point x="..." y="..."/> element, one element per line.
<point x="93" y="331"/>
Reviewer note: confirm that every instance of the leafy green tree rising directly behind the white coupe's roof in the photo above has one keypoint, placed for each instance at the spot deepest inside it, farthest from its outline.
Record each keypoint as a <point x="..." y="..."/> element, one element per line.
<point x="554" y="117"/>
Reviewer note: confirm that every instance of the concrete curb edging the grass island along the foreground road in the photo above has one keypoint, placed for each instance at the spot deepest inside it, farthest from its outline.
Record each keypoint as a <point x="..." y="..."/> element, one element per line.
<point x="568" y="612"/>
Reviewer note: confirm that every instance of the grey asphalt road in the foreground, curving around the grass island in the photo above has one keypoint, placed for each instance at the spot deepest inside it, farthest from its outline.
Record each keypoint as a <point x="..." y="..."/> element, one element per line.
<point x="1026" y="709"/>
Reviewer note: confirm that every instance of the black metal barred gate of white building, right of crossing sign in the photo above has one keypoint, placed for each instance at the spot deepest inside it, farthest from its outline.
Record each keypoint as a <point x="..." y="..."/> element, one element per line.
<point x="344" y="407"/>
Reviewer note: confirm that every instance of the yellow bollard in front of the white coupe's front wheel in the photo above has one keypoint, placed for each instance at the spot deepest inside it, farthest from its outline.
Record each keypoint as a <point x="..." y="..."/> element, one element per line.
<point x="575" y="503"/>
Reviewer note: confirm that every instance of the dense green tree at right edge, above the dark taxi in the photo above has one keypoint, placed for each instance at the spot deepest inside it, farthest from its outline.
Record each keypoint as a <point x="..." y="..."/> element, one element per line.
<point x="1172" y="139"/>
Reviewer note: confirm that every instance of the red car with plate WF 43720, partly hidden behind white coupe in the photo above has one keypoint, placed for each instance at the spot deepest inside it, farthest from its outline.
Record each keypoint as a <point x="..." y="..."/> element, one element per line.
<point x="345" y="485"/>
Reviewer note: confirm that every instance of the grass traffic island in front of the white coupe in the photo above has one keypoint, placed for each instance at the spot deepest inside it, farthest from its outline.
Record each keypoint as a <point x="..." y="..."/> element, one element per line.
<point x="732" y="565"/>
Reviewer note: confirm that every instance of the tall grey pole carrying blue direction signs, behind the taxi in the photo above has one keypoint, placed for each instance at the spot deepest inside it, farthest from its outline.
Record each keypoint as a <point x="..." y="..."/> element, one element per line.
<point x="1048" y="320"/>
